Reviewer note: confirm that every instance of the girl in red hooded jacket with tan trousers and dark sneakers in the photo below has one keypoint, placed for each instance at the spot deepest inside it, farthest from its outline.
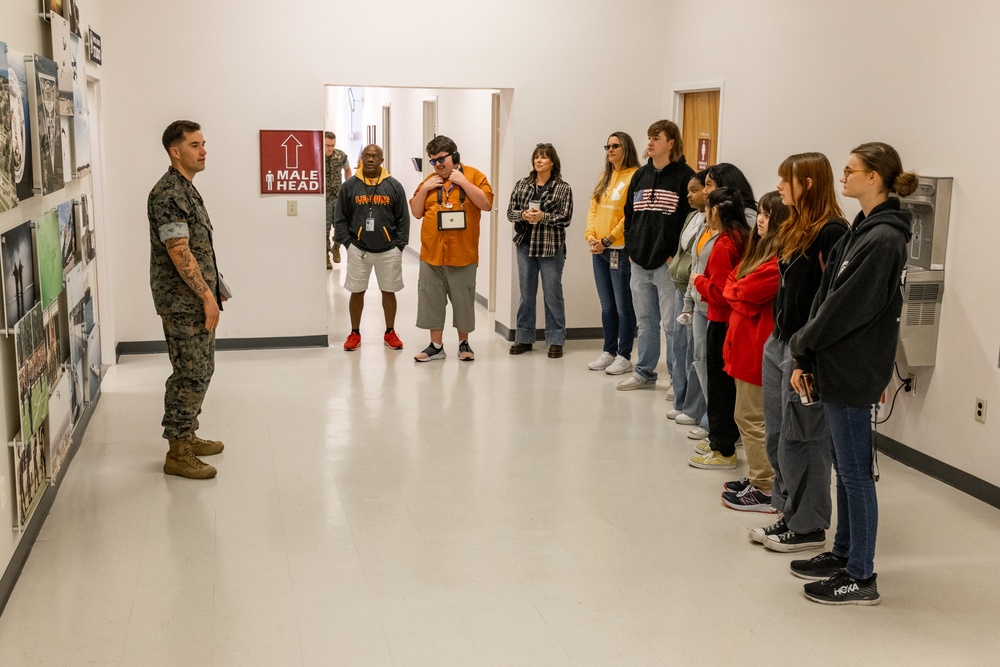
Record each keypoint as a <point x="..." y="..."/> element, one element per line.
<point x="750" y="290"/>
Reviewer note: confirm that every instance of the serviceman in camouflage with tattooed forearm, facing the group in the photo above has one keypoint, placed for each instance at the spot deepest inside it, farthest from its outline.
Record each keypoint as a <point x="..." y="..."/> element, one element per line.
<point x="185" y="283"/>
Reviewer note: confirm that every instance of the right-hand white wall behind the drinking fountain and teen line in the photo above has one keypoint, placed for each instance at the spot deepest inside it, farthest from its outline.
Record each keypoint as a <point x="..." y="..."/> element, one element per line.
<point x="828" y="76"/>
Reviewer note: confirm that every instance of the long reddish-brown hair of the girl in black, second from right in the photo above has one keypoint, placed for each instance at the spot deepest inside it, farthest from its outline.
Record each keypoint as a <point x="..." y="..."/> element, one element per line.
<point x="816" y="205"/>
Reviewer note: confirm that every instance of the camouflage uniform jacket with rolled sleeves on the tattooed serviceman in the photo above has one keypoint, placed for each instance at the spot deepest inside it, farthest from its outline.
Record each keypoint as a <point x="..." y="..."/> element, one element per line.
<point x="176" y="210"/>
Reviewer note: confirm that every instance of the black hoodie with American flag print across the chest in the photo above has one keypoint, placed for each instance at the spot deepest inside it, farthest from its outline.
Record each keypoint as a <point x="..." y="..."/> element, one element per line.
<point x="655" y="211"/>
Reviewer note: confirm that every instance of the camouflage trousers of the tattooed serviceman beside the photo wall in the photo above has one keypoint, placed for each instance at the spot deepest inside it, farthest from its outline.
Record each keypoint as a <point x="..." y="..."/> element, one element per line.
<point x="191" y="349"/>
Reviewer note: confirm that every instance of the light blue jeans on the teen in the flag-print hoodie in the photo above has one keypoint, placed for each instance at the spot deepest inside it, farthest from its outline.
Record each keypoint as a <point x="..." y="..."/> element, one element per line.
<point x="652" y="295"/>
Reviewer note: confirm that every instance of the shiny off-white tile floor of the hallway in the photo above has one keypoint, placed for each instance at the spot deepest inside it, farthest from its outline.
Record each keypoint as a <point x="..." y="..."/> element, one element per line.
<point x="511" y="511"/>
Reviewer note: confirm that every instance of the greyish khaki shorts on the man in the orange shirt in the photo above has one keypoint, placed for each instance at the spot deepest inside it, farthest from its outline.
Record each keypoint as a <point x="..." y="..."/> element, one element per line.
<point x="439" y="284"/>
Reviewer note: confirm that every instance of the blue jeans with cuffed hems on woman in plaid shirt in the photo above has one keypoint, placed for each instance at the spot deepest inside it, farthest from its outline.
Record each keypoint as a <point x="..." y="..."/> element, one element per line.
<point x="550" y="269"/>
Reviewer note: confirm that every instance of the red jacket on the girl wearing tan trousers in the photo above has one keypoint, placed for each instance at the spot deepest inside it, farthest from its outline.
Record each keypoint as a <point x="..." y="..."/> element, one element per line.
<point x="751" y="321"/>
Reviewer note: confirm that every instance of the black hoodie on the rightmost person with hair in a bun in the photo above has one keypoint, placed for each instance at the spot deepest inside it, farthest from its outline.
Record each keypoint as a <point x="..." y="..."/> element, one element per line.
<point x="853" y="327"/>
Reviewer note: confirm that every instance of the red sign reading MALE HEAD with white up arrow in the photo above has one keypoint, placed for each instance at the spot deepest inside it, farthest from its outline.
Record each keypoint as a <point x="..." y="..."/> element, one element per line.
<point x="291" y="162"/>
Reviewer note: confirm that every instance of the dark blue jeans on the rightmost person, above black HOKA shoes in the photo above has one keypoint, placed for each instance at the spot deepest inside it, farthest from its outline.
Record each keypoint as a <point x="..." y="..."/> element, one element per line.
<point x="857" y="506"/>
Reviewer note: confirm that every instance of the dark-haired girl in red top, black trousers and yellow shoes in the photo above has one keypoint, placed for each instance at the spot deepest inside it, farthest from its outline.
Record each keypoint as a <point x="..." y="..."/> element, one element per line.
<point x="723" y="213"/>
